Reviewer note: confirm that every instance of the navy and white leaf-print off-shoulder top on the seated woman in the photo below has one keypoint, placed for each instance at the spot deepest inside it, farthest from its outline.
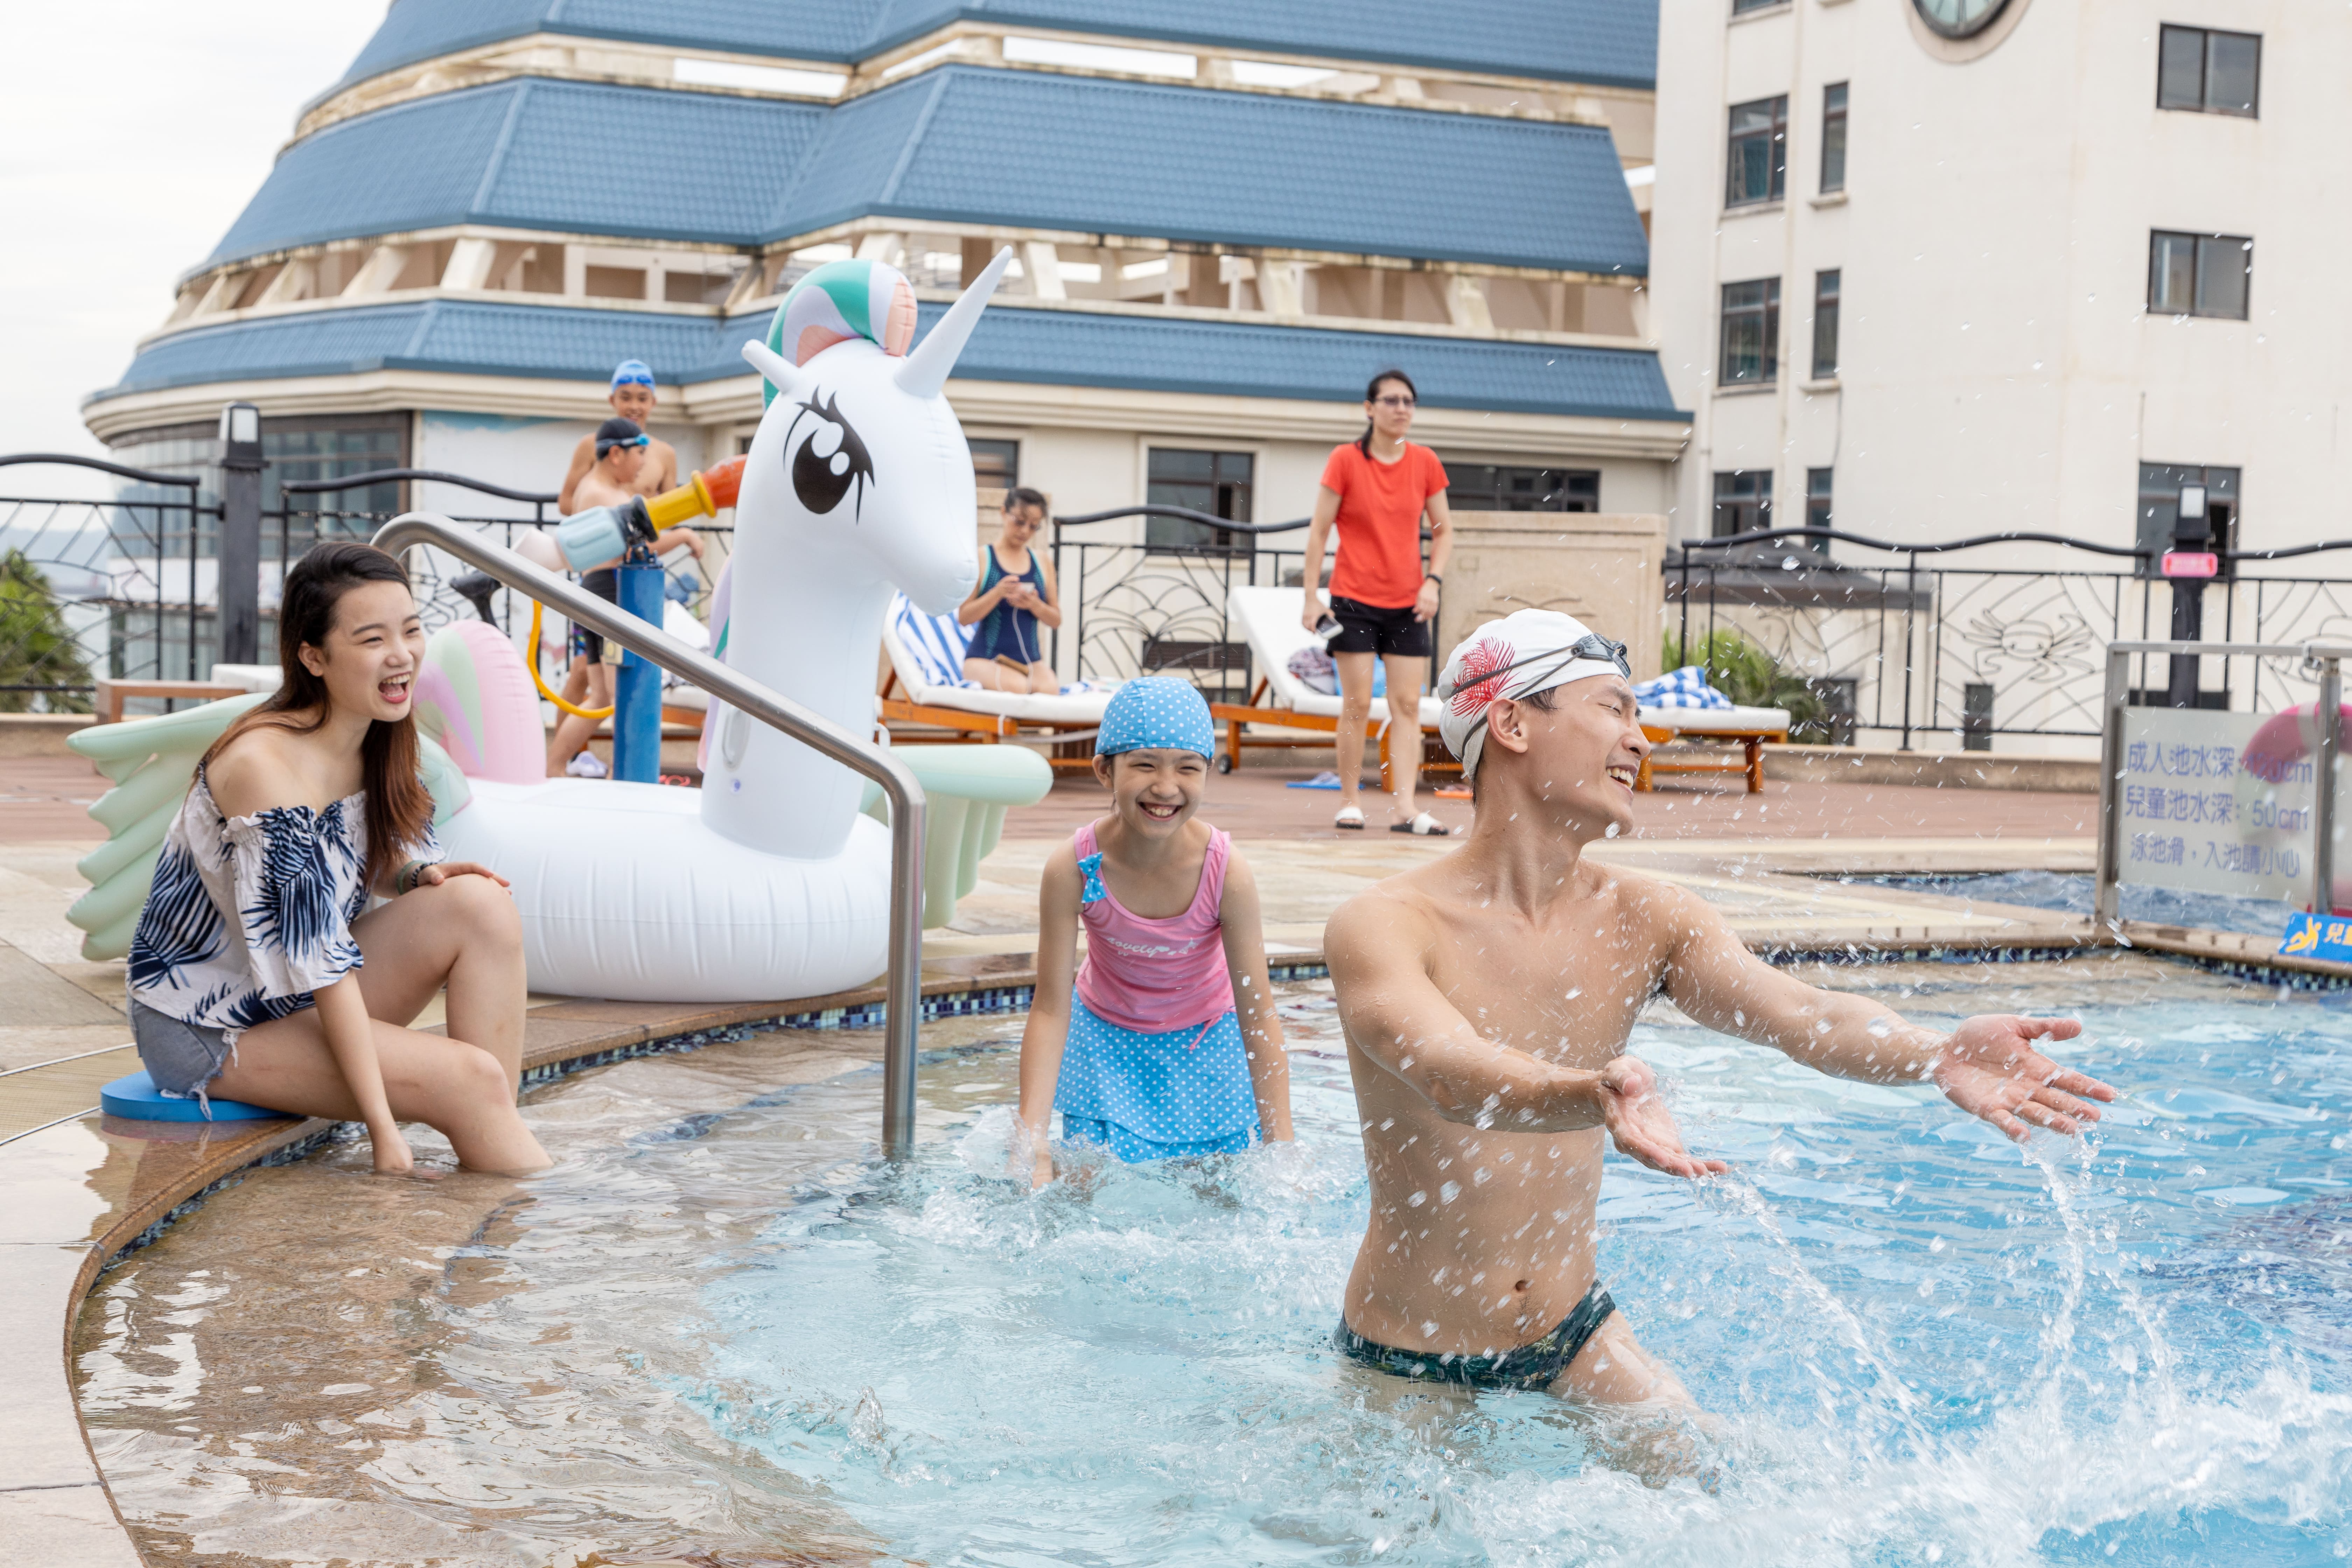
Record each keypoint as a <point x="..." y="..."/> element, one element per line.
<point x="248" y="916"/>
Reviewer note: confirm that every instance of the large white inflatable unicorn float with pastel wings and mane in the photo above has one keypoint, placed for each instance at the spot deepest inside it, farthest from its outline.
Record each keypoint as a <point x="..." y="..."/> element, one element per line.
<point x="773" y="880"/>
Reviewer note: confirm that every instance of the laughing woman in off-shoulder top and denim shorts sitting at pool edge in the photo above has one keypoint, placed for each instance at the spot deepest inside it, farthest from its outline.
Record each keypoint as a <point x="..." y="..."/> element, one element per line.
<point x="255" y="972"/>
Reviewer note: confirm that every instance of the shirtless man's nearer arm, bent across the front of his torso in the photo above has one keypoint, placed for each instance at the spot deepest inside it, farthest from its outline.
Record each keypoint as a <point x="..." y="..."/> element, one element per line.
<point x="1379" y="953"/>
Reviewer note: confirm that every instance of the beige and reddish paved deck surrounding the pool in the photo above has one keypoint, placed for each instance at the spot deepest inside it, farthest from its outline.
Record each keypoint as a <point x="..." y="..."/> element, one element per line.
<point x="83" y="1188"/>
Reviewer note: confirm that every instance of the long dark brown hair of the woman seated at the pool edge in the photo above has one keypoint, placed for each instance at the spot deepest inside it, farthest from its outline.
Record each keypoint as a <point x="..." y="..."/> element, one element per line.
<point x="399" y="808"/>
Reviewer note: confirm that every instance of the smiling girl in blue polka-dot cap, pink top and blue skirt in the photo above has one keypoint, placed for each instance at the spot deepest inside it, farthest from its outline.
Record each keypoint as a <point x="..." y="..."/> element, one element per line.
<point x="1163" y="1045"/>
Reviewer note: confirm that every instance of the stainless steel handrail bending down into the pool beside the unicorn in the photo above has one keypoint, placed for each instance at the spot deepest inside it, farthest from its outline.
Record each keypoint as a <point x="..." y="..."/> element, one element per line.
<point x="900" y="786"/>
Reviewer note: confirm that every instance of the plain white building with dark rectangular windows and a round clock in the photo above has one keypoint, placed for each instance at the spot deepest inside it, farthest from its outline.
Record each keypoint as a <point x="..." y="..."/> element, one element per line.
<point x="1932" y="269"/>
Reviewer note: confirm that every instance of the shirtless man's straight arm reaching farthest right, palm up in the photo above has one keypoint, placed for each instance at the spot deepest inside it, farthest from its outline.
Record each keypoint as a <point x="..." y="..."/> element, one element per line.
<point x="1989" y="1066"/>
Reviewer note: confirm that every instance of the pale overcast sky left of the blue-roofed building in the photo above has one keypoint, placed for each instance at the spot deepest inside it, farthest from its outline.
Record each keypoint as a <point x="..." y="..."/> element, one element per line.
<point x="131" y="138"/>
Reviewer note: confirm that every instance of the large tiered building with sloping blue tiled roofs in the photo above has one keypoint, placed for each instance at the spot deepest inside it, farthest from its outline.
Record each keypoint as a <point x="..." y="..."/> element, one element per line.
<point x="1227" y="215"/>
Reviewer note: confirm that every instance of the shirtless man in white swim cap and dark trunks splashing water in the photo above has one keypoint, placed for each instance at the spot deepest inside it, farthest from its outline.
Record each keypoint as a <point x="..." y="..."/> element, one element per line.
<point x="1488" y="1000"/>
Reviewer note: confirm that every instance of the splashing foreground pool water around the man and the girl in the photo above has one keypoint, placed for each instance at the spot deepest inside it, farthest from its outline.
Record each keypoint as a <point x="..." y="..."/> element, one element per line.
<point x="721" y="1332"/>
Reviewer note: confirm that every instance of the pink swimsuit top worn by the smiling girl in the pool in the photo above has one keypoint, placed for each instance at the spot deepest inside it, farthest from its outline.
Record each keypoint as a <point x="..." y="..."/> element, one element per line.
<point x="1154" y="974"/>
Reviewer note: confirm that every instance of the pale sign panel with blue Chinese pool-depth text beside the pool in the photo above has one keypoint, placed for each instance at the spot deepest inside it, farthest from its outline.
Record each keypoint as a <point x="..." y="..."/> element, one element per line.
<point x="2200" y="815"/>
